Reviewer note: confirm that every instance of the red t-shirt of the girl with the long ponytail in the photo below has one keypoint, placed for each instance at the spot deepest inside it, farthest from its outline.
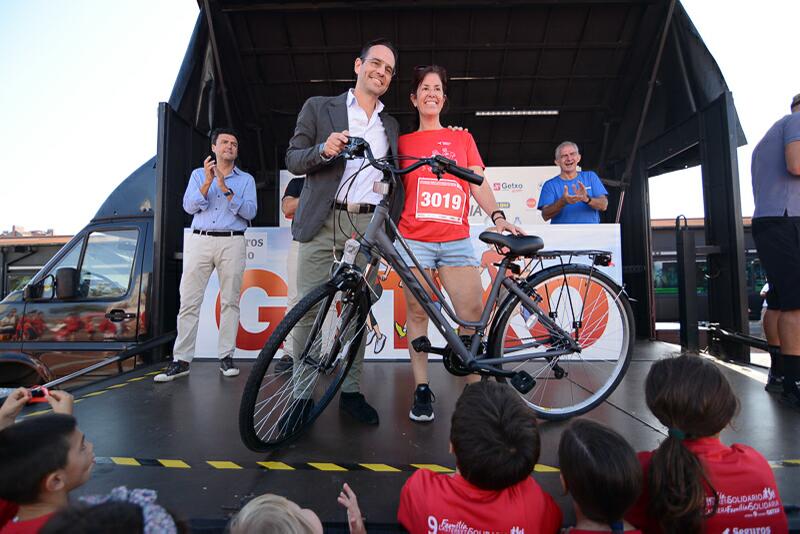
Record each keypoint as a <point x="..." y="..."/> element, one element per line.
<point x="748" y="494"/>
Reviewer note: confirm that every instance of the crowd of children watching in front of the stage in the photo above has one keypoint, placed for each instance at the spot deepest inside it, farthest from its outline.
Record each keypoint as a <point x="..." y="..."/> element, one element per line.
<point x="692" y="483"/>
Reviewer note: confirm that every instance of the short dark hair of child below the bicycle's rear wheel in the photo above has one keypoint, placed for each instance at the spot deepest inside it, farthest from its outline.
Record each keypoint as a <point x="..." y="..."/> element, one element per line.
<point x="494" y="436"/>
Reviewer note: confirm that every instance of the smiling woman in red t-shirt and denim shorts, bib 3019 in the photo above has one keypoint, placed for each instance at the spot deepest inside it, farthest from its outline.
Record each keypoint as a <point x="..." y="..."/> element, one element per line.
<point x="435" y="220"/>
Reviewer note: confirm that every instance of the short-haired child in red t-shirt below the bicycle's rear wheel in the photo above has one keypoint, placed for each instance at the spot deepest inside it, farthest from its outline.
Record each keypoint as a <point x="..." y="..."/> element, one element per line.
<point x="496" y="444"/>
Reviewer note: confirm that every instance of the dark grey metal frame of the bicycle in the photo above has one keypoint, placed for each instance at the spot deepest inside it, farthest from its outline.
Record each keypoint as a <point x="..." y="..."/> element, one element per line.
<point x="376" y="236"/>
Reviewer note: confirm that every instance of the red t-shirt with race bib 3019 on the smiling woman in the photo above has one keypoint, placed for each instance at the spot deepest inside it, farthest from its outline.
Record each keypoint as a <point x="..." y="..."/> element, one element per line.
<point x="437" y="210"/>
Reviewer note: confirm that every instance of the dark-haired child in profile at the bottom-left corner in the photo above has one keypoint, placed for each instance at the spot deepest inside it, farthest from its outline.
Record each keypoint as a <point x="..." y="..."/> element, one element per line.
<point x="42" y="459"/>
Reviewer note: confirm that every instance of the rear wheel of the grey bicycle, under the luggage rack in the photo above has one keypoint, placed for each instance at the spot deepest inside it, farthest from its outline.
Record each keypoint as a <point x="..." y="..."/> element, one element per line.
<point x="595" y="312"/>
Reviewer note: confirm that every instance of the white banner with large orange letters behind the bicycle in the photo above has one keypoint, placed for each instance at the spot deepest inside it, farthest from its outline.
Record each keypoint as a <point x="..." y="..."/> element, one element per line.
<point x="264" y="289"/>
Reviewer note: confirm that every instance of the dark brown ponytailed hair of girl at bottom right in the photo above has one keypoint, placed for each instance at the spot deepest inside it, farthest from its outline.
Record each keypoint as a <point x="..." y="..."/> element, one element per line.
<point x="693" y="399"/>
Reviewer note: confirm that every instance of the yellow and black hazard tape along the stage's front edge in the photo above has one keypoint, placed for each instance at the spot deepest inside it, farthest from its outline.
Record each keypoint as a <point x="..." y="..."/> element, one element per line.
<point x="282" y="466"/>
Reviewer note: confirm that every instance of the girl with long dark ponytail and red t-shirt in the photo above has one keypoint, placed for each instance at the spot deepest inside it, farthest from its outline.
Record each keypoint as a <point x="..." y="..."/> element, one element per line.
<point x="694" y="482"/>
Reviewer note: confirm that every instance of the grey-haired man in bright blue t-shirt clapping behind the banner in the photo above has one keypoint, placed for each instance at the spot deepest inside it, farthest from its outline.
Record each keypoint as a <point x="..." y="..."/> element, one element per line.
<point x="572" y="197"/>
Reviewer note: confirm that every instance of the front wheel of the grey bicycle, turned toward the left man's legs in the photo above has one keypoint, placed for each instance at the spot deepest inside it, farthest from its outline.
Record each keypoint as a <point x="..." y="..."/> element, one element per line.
<point x="267" y="387"/>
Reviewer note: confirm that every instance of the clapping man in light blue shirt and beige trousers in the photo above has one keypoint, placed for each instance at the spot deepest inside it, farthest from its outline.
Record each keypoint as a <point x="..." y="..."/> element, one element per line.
<point x="222" y="199"/>
